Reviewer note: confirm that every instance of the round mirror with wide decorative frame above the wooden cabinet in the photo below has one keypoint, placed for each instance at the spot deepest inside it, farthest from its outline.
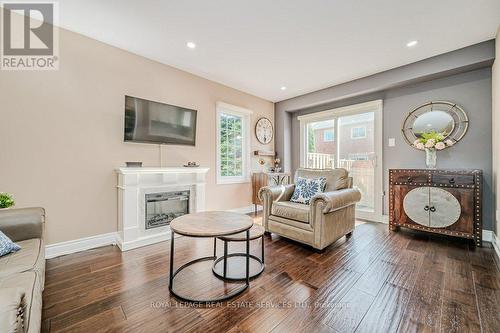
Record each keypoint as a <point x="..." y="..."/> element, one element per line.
<point x="445" y="118"/>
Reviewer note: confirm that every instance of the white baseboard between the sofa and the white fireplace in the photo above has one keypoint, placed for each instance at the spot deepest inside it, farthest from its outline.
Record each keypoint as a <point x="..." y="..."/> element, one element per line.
<point x="81" y="244"/>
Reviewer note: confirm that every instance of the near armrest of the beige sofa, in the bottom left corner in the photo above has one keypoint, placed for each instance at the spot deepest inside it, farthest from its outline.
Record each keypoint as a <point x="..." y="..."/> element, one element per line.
<point x="11" y="309"/>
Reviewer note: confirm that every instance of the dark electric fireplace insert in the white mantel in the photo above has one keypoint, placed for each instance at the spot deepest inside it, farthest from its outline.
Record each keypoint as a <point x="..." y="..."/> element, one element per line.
<point x="162" y="208"/>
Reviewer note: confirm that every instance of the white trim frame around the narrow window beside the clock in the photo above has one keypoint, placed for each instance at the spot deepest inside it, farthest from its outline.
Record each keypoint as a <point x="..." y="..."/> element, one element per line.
<point x="226" y="108"/>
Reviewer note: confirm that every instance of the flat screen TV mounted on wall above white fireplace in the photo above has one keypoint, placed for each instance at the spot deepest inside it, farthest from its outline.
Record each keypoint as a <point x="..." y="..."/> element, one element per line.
<point x="153" y="122"/>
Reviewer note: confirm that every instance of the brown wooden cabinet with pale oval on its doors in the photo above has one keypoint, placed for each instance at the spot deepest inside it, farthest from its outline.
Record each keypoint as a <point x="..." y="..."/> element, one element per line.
<point x="439" y="201"/>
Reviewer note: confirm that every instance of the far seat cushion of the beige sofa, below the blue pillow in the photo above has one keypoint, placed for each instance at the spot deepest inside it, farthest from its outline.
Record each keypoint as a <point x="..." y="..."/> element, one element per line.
<point x="30" y="257"/>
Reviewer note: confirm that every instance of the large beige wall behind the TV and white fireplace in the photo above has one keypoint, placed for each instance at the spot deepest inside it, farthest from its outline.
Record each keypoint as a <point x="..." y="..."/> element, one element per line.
<point x="61" y="133"/>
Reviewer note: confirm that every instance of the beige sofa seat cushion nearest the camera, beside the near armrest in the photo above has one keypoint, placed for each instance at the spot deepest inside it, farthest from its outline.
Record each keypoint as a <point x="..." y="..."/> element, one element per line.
<point x="32" y="304"/>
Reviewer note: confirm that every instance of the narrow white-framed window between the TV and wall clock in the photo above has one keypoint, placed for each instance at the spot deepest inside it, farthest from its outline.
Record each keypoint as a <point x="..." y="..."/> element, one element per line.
<point x="233" y="130"/>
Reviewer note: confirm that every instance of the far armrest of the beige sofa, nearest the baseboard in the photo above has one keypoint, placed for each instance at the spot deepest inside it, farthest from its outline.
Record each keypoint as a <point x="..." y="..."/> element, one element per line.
<point x="23" y="223"/>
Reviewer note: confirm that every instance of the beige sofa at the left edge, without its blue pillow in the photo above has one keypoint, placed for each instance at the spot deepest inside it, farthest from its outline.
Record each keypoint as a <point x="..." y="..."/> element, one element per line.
<point x="22" y="273"/>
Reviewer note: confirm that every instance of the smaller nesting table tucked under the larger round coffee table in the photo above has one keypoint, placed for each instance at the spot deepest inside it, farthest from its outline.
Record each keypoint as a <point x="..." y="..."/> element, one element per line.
<point x="221" y="264"/>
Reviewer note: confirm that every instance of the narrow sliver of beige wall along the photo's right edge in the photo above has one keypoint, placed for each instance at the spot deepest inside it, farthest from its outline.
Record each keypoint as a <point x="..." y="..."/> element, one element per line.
<point x="496" y="129"/>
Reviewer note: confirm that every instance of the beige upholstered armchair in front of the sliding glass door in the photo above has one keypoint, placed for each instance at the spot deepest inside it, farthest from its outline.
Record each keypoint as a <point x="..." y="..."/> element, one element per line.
<point x="329" y="216"/>
